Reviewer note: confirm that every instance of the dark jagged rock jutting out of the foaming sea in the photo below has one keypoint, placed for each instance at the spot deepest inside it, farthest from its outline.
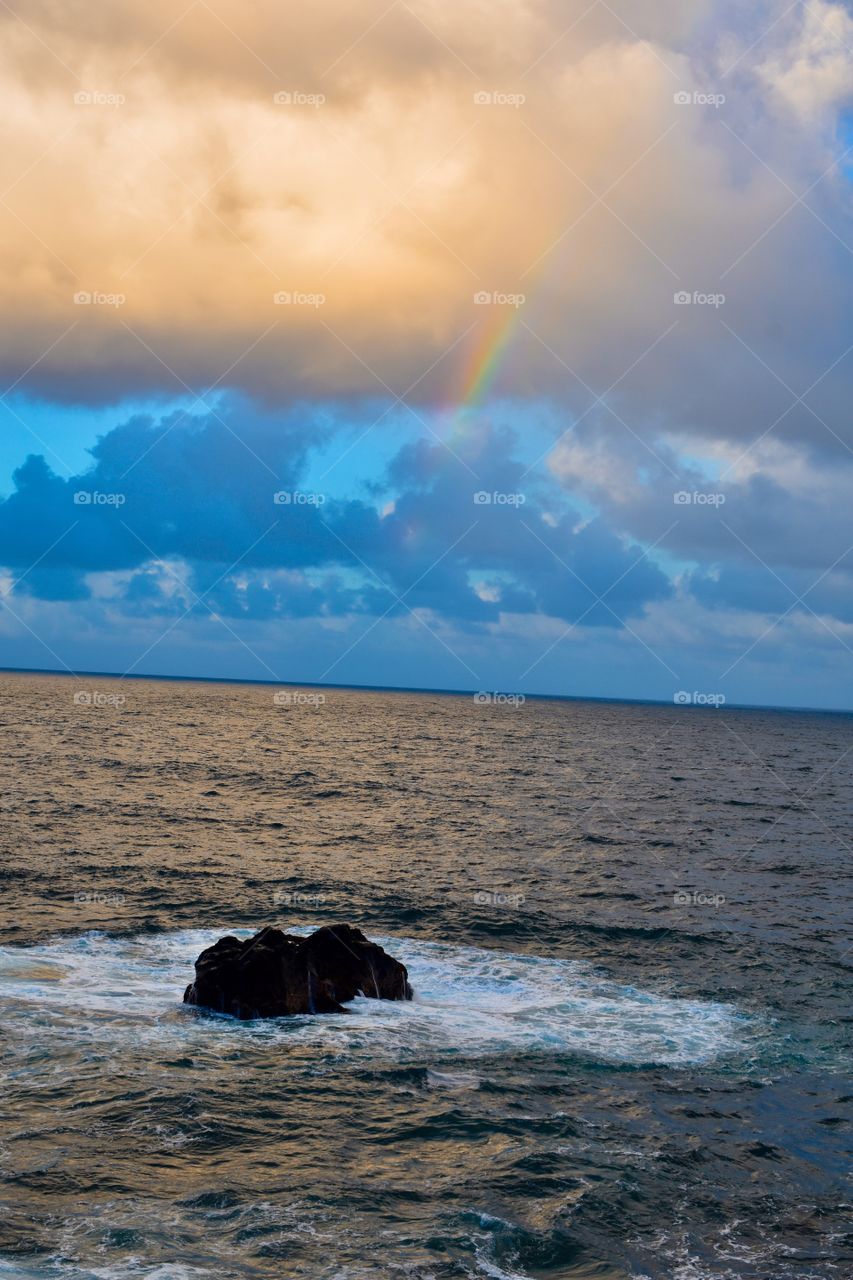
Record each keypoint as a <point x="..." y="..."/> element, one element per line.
<point x="276" y="973"/>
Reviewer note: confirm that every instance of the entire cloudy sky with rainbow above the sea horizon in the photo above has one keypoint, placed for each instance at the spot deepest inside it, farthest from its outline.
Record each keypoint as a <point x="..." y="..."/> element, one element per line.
<point x="430" y="344"/>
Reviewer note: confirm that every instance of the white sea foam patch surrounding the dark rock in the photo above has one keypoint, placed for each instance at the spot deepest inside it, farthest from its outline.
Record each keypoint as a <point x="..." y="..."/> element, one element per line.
<point x="469" y="1003"/>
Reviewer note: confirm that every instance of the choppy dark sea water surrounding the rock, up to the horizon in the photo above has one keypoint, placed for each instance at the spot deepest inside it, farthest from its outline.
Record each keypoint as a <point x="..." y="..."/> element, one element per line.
<point x="627" y="932"/>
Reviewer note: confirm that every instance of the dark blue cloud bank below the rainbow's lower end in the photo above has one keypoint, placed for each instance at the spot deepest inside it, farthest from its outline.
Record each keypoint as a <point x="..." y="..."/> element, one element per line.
<point x="223" y="501"/>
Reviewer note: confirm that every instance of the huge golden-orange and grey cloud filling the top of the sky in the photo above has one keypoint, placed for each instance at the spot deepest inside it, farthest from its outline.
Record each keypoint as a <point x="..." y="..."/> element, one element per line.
<point x="199" y="199"/>
